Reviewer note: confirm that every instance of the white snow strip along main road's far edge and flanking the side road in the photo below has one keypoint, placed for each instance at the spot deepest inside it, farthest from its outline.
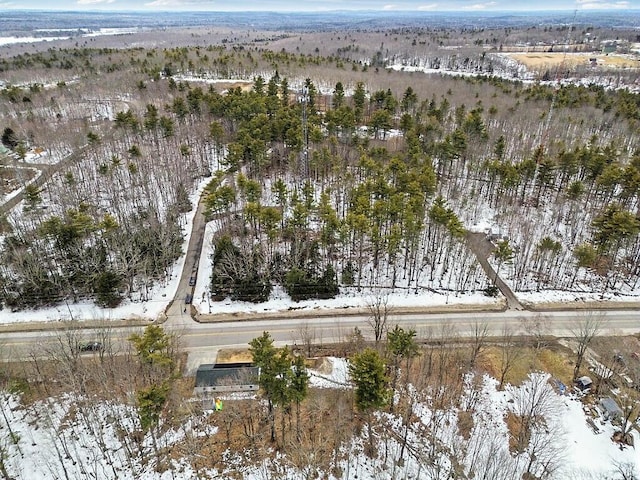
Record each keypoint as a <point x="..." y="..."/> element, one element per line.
<point x="280" y="301"/>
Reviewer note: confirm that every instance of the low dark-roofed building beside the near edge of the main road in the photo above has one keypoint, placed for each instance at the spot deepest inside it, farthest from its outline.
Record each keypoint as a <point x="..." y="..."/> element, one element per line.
<point x="213" y="378"/>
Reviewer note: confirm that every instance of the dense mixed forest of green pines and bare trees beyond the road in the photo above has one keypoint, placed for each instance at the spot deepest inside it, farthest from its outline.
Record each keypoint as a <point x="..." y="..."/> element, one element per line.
<point x="324" y="172"/>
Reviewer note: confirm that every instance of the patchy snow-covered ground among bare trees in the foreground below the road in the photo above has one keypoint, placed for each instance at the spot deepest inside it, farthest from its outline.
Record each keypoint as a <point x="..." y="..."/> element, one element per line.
<point x="71" y="438"/>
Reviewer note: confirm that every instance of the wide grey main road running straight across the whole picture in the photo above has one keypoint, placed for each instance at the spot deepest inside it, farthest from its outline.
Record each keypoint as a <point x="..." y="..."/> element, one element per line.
<point x="206" y="338"/>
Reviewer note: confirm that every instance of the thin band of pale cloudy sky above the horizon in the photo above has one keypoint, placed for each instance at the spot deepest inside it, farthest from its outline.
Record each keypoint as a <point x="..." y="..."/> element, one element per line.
<point x="320" y="5"/>
